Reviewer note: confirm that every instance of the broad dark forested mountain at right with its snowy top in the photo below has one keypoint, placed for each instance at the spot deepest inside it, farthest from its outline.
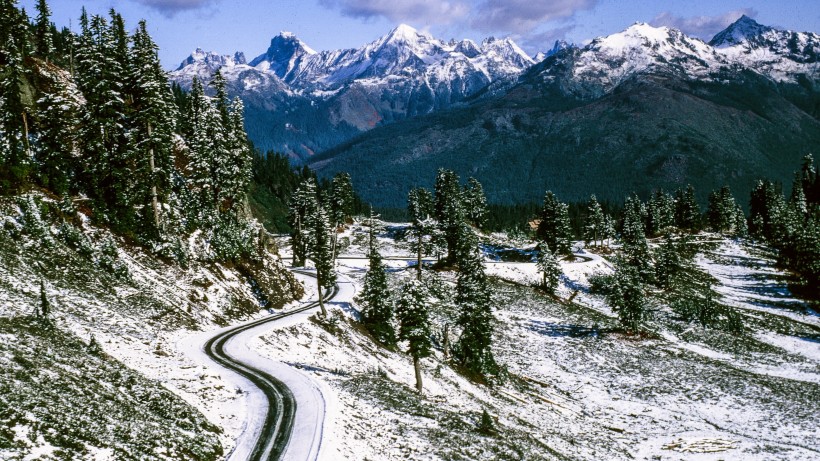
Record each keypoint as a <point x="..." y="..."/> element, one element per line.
<point x="645" y="108"/>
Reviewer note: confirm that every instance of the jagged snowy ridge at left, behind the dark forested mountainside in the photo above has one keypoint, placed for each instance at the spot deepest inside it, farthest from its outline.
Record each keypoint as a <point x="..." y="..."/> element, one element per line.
<point x="293" y="92"/>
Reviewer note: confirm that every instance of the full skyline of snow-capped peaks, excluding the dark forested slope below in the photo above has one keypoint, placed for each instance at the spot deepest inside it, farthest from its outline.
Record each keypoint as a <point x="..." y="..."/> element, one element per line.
<point x="302" y="102"/>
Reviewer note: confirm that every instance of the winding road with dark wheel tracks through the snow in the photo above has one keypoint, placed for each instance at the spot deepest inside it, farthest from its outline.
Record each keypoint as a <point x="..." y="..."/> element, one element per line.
<point x="281" y="412"/>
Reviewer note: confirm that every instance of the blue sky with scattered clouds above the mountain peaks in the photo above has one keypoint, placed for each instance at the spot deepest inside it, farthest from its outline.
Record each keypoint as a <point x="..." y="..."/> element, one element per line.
<point x="225" y="26"/>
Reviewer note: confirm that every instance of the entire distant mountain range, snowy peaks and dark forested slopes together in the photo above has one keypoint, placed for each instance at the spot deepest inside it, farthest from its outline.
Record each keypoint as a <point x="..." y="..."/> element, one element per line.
<point x="643" y="108"/>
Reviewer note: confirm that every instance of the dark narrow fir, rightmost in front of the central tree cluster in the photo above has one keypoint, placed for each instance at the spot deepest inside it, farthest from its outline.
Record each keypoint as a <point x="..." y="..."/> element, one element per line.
<point x="473" y="350"/>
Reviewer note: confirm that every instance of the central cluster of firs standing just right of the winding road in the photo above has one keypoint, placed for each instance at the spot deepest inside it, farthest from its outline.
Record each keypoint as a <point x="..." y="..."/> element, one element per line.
<point x="444" y="220"/>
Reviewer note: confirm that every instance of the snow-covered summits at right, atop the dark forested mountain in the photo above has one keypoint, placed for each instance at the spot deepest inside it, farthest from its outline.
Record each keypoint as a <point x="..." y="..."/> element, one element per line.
<point x="781" y="56"/>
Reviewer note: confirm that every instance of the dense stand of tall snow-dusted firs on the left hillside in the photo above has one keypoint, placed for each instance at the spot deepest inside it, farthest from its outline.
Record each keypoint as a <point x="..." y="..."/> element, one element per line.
<point x="107" y="125"/>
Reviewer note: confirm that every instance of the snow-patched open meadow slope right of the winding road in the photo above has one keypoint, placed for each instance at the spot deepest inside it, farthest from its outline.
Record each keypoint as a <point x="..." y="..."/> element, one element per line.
<point x="578" y="388"/>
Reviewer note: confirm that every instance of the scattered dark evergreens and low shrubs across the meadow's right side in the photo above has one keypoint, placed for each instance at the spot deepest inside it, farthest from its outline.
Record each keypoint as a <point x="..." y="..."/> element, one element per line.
<point x="790" y="226"/>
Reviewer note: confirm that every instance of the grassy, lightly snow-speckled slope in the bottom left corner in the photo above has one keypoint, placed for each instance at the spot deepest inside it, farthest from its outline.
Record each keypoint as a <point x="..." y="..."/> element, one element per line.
<point x="61" y="401"/>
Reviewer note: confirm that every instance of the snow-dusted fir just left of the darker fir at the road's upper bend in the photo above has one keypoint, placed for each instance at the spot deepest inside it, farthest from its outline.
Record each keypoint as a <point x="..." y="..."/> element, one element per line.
<point x="303" y="206"/>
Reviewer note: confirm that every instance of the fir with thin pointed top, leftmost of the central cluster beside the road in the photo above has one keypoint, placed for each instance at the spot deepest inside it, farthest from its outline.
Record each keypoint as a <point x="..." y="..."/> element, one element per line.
<point x="377" y="304"/>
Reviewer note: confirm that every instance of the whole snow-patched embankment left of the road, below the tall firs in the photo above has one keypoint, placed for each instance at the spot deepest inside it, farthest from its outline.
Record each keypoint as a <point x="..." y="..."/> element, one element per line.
<point x="136" y="305"/>
